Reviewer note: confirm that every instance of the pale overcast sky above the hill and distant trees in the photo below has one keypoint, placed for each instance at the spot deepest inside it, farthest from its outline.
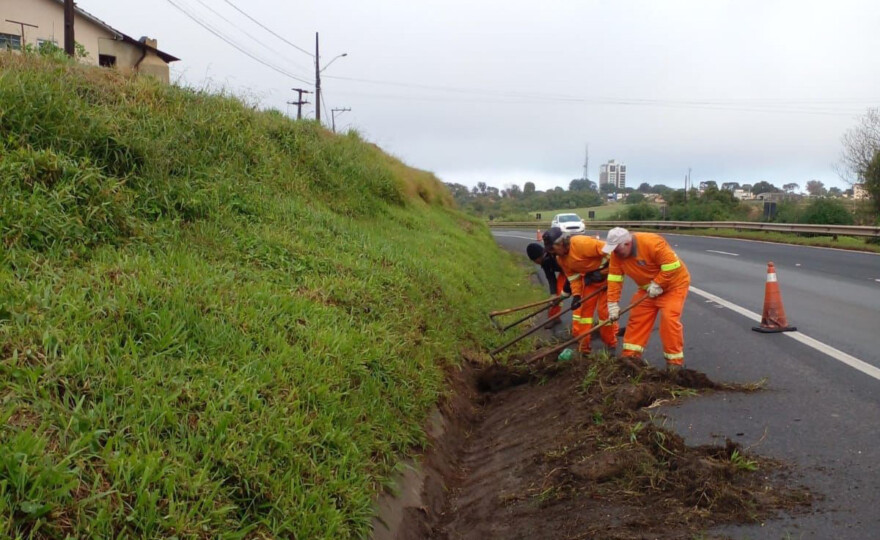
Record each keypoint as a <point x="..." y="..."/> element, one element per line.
<point x="511" y="91"/>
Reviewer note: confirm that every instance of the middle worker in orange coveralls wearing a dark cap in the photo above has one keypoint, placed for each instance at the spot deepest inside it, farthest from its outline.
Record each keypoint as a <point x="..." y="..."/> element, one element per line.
<point x="583" y="262"/>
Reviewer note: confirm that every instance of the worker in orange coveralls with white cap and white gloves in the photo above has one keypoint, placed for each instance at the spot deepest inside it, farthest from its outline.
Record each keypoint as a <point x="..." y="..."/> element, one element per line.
<point x="661" y="276"/>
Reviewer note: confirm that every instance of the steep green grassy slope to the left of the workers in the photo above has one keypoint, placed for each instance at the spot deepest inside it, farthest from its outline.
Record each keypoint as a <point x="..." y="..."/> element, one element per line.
<point x="215" y="322"/>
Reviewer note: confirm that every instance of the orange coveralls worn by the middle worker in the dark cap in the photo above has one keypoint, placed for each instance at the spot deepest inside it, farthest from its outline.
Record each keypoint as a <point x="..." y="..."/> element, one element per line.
<point x="584" y="257"/>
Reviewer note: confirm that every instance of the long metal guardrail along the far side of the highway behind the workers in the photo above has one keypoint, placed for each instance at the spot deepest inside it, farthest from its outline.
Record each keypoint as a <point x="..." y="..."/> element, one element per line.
<point x="830" y="230"/>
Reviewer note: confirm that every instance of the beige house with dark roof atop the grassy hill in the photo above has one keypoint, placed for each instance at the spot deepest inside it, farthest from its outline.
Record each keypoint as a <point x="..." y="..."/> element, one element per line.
<point x="35" y="22"/>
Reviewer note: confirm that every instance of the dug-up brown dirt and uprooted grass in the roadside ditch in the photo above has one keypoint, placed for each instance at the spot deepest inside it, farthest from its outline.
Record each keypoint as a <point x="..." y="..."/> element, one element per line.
<point x="570" y="450"/>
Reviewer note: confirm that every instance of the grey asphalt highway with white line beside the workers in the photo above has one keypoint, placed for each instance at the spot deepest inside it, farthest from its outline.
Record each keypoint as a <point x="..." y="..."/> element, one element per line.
<point x="820" y="411"/>
